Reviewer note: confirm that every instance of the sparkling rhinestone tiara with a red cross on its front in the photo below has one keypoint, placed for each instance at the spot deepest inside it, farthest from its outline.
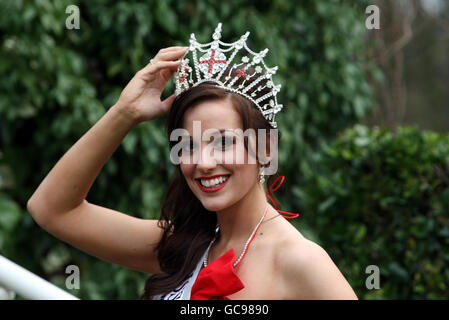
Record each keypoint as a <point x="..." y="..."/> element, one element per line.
<point x="214" y="62"/>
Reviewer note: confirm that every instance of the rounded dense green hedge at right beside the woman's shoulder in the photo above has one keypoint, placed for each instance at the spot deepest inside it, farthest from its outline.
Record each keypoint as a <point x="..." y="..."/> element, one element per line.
<point x="382" y="198"/>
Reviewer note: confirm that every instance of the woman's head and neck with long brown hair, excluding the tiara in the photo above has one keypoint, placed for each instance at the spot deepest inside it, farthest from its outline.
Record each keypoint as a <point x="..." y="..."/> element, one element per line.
<point x="216" y="189"/>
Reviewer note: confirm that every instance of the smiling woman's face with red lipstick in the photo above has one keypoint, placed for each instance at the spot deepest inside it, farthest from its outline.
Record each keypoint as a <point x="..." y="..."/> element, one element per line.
<point x="223" y="155"/>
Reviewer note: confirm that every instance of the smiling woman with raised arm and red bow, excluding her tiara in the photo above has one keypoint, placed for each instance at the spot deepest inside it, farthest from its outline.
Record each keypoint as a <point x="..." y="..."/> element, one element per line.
<point x="227" y="244"/>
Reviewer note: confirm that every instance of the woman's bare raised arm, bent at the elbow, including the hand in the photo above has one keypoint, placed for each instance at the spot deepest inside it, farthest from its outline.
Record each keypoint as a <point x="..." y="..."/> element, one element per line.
<point x="59" y="203"/>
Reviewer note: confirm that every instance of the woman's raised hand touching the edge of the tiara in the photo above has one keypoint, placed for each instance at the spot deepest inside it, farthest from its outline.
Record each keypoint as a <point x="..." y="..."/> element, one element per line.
<point x="142" y="96"/>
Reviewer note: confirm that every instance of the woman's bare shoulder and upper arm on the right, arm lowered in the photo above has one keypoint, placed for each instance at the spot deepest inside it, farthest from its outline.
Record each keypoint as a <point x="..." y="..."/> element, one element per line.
<point x="308" y="272"/>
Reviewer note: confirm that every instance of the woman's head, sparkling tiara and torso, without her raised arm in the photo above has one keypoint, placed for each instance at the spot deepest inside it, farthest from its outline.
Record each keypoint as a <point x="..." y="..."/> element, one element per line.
<point x="215" y="206"/>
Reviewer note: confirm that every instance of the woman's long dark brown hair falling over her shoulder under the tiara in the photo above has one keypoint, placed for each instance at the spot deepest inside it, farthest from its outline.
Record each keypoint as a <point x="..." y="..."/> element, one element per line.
<point x="188" y="226"/>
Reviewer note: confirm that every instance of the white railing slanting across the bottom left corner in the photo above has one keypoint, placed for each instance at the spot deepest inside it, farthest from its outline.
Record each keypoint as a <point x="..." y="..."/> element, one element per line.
<point x="15" y="279"/>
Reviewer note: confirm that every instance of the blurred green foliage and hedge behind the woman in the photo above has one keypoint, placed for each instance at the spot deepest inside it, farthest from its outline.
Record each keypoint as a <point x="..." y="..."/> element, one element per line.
<point x="369" y="196"/>
